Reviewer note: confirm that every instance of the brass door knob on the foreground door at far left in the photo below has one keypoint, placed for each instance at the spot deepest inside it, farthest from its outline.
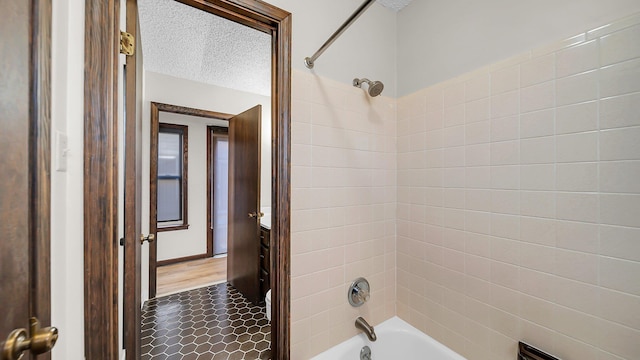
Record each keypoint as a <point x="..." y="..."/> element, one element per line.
<point x="41" y="341"/>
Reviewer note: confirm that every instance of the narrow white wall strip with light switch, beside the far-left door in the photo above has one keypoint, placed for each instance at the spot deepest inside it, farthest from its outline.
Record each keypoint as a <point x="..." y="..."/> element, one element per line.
<point x="67" y="275"/>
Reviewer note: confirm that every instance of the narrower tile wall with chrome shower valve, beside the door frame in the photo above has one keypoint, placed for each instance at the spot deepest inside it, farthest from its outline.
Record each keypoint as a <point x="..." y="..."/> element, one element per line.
<point x="344" y="205"/>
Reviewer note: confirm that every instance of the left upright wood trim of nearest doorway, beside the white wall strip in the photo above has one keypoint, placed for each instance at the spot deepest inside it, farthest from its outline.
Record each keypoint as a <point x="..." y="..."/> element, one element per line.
<point x="101" y="51"/>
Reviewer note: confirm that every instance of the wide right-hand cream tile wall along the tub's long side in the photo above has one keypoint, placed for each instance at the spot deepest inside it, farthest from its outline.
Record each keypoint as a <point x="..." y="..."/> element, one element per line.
<point x="541" y="182"/>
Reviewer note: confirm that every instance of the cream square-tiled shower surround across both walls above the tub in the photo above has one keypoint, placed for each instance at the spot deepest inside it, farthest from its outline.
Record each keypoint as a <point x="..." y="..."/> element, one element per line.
<point x="500" y="206"/>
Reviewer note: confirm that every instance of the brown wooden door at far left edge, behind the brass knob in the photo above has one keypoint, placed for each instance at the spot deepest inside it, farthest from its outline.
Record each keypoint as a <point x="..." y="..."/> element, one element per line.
<point x="25" y="37"/>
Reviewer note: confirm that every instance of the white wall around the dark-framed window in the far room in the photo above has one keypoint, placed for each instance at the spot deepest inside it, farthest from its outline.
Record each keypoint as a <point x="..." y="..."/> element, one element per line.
<point x="192" y="241"/>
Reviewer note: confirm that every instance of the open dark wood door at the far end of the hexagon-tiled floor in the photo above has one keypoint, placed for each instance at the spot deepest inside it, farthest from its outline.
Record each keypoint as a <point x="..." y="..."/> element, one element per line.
<point x="243" y="256"/>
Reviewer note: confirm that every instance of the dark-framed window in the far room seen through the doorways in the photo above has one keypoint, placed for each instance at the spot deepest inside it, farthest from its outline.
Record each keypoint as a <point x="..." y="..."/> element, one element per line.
<point x="172" y="177"/>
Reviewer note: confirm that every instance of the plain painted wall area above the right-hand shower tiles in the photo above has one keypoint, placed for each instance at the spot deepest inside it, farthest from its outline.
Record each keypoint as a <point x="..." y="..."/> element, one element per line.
<point x="438" y="40"/>
